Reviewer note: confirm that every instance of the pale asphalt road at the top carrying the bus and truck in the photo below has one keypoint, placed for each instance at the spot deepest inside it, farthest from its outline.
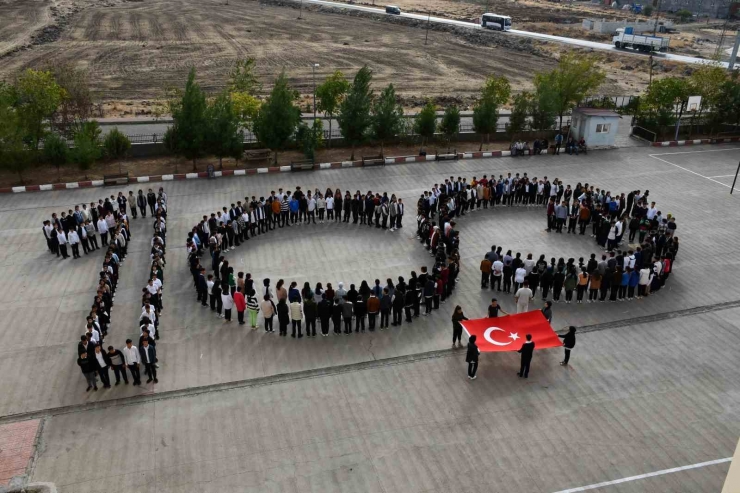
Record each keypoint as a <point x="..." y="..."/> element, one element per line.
<point x="528" y="34"/>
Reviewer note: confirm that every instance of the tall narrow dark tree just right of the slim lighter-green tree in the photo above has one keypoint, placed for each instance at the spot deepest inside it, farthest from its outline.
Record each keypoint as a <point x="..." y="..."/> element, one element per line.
<point x="354" y="110"/>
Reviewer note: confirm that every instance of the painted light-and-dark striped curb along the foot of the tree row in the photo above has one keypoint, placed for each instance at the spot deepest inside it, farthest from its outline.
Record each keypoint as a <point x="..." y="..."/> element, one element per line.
<point x="272" y="169"/>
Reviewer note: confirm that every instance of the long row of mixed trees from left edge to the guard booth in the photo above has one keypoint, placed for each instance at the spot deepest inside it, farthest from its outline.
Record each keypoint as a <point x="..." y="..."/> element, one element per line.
<point x="54" y="107"/>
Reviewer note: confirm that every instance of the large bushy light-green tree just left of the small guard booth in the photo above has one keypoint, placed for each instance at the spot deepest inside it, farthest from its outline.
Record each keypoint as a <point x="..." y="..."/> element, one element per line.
<point x="575" y="77"/>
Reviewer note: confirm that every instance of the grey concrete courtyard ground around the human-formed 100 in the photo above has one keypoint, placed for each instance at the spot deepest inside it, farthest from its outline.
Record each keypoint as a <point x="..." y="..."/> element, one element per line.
<point x="653" y="384"/>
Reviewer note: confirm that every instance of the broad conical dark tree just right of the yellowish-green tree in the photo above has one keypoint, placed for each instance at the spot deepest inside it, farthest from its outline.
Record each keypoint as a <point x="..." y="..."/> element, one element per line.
<point x="278" y="118"/>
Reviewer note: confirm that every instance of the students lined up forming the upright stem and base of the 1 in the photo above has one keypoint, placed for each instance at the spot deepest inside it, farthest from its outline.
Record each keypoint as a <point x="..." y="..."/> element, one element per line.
<point x="93" y="360"/>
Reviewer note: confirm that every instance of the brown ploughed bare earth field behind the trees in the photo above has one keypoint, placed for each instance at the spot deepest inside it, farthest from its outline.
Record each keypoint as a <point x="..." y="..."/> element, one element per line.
<point x="134" y="50"/>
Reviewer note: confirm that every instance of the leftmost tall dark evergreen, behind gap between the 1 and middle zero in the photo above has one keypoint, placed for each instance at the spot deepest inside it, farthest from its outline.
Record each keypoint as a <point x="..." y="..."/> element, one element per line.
<point x="189" y="121"/>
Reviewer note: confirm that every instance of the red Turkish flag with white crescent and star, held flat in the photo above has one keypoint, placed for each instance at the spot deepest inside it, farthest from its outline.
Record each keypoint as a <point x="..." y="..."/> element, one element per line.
<point x="509" y="333"/>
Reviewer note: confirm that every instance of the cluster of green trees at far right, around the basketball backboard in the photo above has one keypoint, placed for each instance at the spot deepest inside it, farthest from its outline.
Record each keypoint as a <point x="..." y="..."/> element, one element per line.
<point x="666" y="100"/>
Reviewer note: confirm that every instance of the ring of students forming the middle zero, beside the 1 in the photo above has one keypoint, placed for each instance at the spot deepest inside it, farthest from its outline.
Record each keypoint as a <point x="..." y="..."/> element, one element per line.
<point x="224" y="290"/>
